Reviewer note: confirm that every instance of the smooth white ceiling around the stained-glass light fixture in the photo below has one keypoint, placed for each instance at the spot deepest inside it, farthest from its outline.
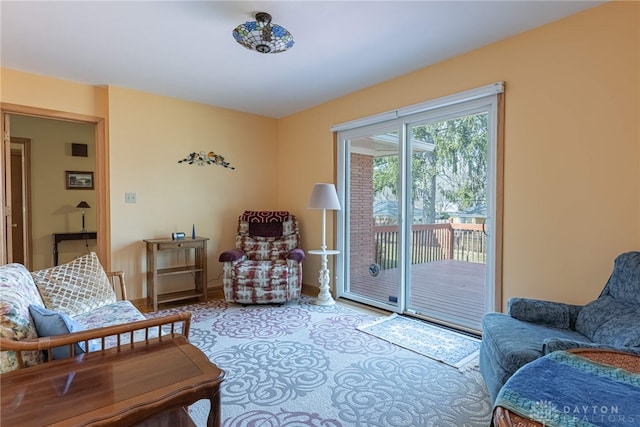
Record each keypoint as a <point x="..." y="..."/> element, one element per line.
<point x="184" y="49"/>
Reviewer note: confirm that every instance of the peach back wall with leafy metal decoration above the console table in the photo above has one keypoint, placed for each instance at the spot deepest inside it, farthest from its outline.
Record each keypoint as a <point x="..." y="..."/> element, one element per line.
<point x="148" y="135"/>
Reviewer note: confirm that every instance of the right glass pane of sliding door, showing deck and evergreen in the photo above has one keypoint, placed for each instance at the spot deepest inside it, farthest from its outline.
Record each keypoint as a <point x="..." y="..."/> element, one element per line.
<point x="447" y="195"/>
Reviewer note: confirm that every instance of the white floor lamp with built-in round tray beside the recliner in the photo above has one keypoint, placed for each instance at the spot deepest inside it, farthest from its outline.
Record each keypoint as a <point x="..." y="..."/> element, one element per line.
<point x="324" y="196"/>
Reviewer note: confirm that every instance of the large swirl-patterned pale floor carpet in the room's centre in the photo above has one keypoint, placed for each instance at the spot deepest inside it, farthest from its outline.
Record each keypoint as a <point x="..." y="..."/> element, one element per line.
<point x="300" y="364"/>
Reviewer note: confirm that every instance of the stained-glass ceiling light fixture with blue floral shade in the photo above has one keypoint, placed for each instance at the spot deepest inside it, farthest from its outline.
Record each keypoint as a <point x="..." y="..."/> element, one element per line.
<point x="263" y="36"/>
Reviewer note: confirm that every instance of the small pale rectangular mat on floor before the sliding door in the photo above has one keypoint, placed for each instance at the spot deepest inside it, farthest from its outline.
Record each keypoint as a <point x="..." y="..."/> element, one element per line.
<point x="438" y="343"/>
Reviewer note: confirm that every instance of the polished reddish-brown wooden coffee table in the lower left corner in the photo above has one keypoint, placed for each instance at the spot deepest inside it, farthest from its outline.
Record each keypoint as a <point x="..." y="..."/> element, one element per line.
<point x="153" y="381"/>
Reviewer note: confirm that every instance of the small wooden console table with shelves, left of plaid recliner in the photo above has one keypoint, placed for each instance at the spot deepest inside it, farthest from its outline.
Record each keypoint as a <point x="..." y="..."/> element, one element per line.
<point x="198" y="269"/>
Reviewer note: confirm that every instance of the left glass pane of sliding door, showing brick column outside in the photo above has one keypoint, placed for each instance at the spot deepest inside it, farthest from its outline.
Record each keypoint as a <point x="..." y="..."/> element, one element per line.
<point x="373" y="219"/>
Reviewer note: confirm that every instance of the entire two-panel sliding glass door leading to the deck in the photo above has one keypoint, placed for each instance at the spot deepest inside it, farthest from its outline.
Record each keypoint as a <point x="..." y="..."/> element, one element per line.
<point x="419" y="197"/>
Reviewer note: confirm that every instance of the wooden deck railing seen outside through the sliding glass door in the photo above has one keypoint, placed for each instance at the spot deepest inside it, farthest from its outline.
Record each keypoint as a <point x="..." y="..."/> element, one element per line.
<point x="432" y="242"/>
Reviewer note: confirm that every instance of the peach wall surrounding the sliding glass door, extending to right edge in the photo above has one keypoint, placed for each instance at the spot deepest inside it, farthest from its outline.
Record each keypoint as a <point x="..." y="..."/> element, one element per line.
<point x="572" y="146"/>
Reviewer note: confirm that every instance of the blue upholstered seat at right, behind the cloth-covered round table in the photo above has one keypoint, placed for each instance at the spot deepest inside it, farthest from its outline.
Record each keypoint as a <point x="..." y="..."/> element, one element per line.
<point x="533" y="328"/>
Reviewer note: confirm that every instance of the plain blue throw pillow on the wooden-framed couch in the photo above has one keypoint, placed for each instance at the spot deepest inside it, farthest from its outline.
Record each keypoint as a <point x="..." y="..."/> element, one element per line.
<point x="50" y="323"/>
